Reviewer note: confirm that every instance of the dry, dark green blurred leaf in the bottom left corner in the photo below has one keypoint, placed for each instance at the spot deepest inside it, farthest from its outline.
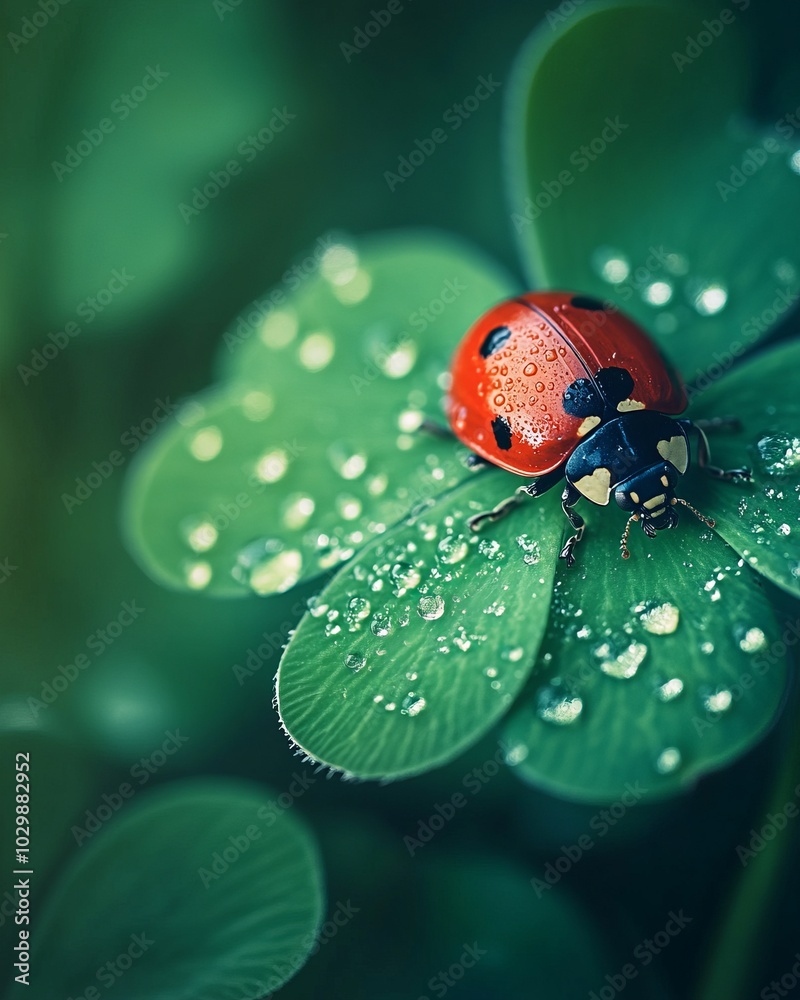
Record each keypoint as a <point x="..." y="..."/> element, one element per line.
<point x="207" y="887"/>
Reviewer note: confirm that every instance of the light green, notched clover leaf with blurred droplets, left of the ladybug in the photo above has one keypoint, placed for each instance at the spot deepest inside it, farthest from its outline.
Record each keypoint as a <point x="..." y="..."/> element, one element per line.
<point x="313" y="450"/>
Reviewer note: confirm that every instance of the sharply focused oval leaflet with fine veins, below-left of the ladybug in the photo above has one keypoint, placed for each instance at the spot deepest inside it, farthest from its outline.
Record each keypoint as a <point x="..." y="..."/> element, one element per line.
<point x="421" y="643"/>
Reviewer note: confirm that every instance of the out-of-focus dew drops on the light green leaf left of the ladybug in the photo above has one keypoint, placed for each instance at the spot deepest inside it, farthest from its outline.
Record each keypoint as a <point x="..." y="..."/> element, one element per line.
<point x="267" y="565"/>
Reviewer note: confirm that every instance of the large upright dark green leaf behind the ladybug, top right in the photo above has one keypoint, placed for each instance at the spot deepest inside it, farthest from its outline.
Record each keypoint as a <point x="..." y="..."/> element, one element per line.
<point x="645" y="208"/>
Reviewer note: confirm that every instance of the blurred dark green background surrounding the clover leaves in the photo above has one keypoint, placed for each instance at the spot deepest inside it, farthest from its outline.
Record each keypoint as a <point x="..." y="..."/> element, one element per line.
<point x="67" y="576"/>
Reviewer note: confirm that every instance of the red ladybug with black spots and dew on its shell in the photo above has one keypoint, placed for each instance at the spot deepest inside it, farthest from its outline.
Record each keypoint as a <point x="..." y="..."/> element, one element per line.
<point x="558" y="386"/>
